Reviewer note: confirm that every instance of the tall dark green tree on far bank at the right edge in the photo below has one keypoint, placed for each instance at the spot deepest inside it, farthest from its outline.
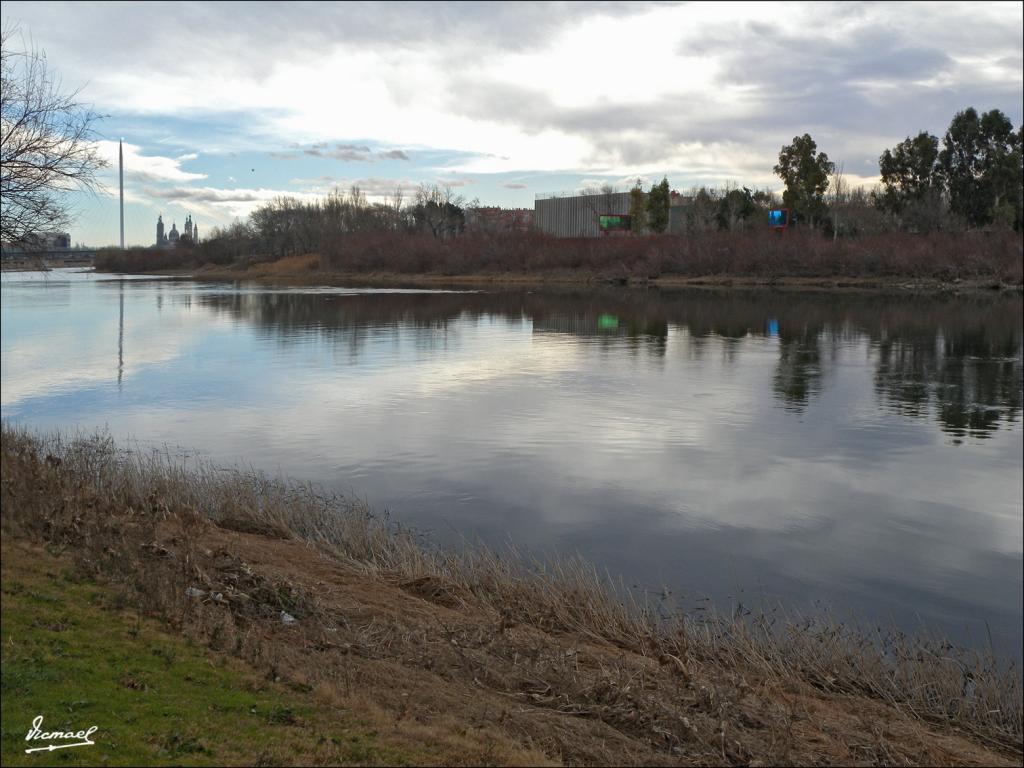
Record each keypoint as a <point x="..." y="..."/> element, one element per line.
<point x="982" y="163"/>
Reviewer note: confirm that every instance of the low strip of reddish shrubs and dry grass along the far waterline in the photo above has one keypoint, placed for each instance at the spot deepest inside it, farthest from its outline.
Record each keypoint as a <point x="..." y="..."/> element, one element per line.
<point x="938" y="261"/>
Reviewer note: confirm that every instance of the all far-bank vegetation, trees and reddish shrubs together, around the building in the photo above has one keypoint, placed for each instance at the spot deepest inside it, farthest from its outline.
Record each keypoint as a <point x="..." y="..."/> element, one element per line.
<point x="940" y="219"/>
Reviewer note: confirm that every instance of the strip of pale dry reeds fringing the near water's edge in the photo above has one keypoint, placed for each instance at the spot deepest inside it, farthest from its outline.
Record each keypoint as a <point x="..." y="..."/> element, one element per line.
<point x="86" y="493"/>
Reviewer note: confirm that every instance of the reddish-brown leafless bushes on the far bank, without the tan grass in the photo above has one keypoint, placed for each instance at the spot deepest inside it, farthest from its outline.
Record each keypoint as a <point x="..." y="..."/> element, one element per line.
<point x="767" y="255"/>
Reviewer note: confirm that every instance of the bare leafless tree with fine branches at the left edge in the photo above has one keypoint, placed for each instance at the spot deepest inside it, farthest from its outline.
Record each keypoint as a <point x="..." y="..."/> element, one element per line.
<point x="48" y="144"/>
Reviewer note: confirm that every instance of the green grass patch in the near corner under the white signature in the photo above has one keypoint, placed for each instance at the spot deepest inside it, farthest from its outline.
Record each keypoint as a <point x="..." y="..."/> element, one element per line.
<point x="157" y="699"/>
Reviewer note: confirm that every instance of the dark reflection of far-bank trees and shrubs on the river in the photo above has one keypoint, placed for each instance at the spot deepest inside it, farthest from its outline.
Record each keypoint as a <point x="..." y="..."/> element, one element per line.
<point x="957" y="361"/>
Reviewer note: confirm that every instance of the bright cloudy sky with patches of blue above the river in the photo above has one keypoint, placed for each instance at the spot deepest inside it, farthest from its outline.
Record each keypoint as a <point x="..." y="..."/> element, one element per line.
<point x="223" y="106"/>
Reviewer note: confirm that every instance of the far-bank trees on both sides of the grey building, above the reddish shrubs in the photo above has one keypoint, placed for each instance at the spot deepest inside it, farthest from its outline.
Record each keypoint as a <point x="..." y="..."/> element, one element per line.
<point x="972" y="180"/>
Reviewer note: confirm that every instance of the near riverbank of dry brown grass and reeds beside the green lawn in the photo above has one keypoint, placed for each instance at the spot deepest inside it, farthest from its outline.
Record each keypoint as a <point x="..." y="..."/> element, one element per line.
<point x="484" y="659"/>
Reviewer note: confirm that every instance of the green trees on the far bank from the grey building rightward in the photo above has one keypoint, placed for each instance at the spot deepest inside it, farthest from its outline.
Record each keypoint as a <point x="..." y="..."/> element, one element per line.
<point x="972" y="180"/>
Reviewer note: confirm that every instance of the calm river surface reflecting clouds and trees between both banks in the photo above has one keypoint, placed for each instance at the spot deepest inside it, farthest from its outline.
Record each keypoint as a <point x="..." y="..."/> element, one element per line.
<point x="834" y="452"/>
